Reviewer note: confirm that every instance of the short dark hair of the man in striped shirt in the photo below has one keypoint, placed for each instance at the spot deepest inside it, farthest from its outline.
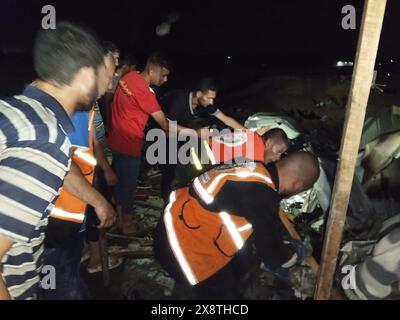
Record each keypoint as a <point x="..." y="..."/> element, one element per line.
<point x="60" y="53"/>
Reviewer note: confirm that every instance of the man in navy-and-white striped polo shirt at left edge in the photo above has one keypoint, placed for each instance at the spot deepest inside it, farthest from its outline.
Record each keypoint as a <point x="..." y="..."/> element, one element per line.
<point x="34" y="149"/>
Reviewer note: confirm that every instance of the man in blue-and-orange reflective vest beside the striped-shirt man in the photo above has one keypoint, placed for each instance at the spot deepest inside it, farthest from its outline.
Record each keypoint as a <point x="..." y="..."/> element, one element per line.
<point x="66" y="231"/>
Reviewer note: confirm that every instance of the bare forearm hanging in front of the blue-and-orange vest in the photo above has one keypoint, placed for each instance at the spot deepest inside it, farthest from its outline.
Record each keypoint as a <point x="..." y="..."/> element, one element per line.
<point x="76" y="184"/>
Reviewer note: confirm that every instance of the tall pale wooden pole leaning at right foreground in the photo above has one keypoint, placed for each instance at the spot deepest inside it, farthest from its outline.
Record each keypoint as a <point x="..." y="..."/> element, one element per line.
<point x="367" y="48"/>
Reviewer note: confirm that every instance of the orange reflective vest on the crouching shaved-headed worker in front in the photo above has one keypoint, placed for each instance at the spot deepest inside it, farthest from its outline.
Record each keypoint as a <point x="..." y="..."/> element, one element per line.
<point x="204" y="241"/>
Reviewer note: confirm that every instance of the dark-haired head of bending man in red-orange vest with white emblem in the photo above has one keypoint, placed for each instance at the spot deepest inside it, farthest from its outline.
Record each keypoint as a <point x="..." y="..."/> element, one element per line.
<point x="276" y="143"/>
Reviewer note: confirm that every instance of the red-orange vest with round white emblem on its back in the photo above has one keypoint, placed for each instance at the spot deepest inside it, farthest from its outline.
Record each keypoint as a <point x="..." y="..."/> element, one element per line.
<point x="236" y="145"/>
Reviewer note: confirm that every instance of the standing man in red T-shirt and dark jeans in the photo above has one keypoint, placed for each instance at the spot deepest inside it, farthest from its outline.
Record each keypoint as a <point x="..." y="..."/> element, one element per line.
<point x="134" y="101"/>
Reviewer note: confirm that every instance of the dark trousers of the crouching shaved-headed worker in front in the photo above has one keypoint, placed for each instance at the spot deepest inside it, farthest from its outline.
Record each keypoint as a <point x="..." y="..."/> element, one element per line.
<point x="227" y="283"/>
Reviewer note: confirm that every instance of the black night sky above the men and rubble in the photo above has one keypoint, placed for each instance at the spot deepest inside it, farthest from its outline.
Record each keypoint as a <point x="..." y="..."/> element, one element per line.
<point x="279" y="33"/>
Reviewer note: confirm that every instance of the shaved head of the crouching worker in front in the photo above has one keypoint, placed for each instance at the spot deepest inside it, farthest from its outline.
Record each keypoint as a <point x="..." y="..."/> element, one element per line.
<point x="298" y="171"/>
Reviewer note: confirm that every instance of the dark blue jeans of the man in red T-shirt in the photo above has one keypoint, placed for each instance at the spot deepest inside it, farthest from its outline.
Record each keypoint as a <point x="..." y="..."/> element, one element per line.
<point x="127" y="170"/>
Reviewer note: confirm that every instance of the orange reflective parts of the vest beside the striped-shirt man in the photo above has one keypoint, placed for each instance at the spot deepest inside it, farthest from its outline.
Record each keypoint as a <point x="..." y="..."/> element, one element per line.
<point x="67" y="206"/>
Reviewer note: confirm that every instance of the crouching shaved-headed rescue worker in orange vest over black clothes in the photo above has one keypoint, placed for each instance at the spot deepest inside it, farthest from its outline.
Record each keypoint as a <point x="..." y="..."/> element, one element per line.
<point x="204" y="237"/>
